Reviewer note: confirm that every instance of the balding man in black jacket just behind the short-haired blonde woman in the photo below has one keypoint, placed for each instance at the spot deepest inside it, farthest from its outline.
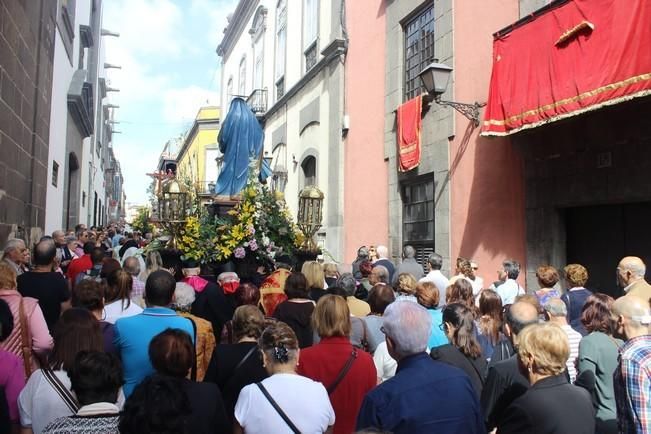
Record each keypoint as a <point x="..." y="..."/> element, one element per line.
<point x="504" y="382"/>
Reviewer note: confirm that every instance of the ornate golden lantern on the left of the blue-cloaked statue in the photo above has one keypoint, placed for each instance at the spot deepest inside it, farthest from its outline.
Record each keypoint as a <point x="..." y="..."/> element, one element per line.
<point x="173" y="208"/>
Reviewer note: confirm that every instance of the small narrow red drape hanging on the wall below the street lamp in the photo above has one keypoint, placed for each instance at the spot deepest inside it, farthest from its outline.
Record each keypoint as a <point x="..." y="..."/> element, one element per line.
<point x="408" y="123"/>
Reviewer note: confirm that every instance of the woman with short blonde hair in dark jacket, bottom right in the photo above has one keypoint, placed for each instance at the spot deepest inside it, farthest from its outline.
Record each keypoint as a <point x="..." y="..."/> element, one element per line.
<point x="551" y="404"/>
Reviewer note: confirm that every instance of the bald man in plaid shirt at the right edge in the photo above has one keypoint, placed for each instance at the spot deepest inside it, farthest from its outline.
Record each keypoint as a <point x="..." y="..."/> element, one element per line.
<point x="632" y="379"/>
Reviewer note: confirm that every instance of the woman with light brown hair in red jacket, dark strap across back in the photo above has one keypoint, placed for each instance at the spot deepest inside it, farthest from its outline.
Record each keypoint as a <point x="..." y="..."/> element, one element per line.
<point x="347" y="373"/>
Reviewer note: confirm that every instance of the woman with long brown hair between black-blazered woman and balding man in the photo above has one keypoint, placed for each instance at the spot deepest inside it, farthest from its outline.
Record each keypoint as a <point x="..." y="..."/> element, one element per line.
<point x="489" y="323"/>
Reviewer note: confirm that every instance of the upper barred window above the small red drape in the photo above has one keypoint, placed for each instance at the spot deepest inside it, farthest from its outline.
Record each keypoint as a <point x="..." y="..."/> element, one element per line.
<point x="419" y="49"/>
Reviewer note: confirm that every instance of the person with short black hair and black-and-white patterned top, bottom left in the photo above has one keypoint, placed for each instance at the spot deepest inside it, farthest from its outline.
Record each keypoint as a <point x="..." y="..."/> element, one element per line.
<point x="96" y="378"/>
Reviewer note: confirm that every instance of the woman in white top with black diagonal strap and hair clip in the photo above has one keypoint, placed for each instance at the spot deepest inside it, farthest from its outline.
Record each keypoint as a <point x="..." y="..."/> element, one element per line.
<point x="304" y="403"/>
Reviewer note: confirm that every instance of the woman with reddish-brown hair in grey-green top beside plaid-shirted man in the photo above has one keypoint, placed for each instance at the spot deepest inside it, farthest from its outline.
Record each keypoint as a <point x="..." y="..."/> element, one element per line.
<point x="598" y="359"/>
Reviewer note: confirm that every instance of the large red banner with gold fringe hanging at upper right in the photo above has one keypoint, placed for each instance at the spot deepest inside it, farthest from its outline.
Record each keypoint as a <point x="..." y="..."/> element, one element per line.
<point x="576" y="57"/>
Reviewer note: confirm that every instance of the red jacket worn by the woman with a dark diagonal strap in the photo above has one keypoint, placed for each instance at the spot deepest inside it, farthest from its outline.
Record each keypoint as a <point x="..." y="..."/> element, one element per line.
<point x="323" y="362"/>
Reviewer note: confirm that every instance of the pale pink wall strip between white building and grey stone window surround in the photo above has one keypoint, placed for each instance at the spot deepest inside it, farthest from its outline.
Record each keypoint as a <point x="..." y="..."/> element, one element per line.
<point x="366" y="213"/>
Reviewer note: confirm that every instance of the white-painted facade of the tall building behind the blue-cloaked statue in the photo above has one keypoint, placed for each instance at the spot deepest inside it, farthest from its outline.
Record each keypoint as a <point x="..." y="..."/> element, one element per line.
<point x="316" y="138"/>
